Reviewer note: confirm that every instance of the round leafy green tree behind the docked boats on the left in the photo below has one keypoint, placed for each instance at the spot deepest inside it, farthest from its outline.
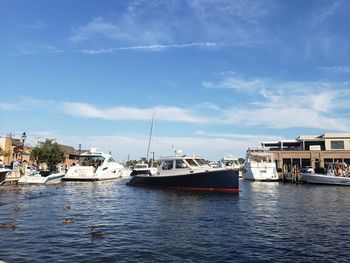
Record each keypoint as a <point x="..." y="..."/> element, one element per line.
<point x="49" y="153"/>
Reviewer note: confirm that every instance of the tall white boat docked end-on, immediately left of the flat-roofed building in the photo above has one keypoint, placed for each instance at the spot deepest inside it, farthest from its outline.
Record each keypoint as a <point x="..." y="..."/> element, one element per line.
<point x="259" y="165"/>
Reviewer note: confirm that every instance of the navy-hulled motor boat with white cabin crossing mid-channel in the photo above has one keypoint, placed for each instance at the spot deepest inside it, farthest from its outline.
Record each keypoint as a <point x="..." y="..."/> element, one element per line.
<point x="188" y="173"/>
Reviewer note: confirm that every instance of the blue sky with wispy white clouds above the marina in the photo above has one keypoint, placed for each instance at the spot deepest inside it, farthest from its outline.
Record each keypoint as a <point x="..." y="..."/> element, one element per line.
<point x="219" y="75"/>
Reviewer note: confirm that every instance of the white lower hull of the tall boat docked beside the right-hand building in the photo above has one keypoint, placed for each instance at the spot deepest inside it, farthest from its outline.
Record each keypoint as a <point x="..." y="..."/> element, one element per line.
<point x="260" y="172"/>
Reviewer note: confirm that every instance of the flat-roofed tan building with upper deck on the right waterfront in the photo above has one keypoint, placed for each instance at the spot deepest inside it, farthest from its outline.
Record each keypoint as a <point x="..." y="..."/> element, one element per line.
<point x="315" y="151"/>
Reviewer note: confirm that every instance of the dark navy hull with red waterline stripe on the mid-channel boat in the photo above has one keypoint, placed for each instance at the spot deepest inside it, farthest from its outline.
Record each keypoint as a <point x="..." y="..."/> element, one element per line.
<point x="225" y="180"/>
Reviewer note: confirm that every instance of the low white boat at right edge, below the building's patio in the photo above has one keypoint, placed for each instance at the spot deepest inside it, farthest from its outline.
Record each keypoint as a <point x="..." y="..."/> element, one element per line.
<point x="337" y="174"/>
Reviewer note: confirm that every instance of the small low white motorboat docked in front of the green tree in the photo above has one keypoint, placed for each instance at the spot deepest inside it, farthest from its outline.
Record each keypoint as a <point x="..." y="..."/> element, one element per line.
<point x="42" y="177"/>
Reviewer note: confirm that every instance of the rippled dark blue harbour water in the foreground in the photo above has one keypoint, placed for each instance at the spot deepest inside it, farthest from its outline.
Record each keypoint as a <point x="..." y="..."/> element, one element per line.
<point x="265" y="222"/>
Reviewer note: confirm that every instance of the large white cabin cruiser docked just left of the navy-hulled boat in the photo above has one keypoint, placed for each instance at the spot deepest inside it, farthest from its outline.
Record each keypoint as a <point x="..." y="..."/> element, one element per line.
<point x="96" y="166"/>
